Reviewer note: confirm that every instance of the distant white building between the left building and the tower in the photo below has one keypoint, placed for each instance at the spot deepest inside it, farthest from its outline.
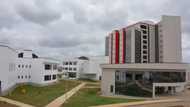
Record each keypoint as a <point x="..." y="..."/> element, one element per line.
<point x="84" y="67"/>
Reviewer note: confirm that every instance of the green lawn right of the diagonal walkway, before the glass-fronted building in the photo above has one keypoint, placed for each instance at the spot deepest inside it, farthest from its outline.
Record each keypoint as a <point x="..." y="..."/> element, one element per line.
<point x="90" y="97"/>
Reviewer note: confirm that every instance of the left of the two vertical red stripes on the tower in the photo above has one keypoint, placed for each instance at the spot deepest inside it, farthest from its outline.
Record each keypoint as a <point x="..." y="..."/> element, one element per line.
<point x="116" y="47"/>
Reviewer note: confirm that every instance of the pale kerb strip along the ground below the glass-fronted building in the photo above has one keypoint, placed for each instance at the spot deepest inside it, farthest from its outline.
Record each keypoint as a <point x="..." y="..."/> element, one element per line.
<point x="140" y="103"/>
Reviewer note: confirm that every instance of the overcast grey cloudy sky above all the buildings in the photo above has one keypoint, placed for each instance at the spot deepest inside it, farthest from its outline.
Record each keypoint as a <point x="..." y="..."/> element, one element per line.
<point x="78" y="27"/>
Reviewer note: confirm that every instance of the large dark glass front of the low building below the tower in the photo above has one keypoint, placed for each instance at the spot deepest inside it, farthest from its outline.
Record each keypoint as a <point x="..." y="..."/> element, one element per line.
<point x="139" y="83"/>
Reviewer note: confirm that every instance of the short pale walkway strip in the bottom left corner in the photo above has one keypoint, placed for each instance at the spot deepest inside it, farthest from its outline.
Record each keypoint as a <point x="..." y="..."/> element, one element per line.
<point x="17" y="103"/>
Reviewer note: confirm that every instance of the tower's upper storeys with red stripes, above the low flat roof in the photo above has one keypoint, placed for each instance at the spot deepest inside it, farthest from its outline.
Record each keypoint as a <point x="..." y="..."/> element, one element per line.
<point x="146" y="42"/>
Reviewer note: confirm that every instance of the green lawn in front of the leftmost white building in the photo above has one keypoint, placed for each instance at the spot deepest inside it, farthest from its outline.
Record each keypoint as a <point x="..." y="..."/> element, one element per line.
<point x="40" y="96"/>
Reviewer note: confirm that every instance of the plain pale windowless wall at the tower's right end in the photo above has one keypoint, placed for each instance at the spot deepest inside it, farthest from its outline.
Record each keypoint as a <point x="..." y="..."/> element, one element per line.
<point x="170" y="27"/>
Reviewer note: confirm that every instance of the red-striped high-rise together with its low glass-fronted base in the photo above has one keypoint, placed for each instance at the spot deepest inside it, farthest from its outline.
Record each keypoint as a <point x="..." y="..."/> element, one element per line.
<point x="148" y="54"/>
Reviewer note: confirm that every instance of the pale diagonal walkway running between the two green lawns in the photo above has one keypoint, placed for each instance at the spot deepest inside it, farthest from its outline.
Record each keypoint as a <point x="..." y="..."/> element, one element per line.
<point x="60" y="100"/>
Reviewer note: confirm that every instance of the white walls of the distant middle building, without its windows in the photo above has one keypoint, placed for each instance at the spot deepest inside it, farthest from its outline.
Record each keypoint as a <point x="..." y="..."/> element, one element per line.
<point x="89" y="69"/>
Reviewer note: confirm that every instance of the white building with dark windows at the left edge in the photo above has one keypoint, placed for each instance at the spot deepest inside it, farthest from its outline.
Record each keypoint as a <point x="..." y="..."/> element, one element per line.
<point x="24" y="66"/>
